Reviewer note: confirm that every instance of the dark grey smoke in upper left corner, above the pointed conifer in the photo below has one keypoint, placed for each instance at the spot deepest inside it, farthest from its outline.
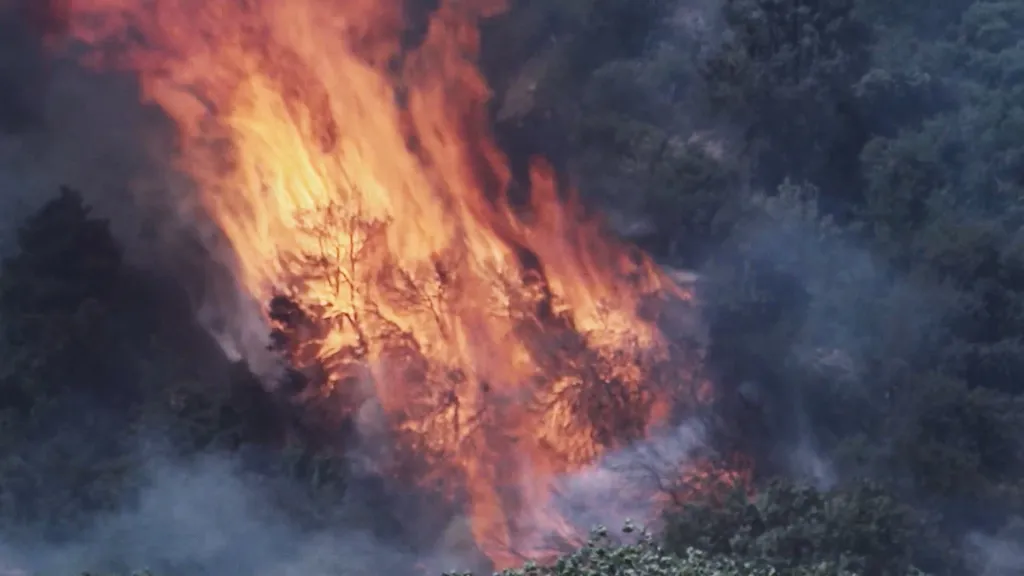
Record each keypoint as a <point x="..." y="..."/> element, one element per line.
<point x="63" y="125"/>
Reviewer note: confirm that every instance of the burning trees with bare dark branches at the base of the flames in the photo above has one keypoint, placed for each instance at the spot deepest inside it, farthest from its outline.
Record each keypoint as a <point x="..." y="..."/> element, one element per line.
<point x="351" y="347"/>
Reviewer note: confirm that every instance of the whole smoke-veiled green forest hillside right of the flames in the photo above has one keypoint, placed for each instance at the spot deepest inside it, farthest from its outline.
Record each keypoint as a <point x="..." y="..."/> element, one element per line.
<point x="861" y="242"/>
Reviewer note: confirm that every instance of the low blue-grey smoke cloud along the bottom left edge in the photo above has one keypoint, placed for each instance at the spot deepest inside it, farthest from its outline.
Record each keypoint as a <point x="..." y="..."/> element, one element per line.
<point x="207" y="516"/>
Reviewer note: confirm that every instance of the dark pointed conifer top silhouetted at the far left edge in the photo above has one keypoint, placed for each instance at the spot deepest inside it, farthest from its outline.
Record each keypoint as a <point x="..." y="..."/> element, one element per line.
<point x="53" y="299"/>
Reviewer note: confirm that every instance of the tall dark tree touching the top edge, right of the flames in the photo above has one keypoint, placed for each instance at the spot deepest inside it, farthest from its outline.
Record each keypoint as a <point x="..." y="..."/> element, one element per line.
<point x="787" y="73"/>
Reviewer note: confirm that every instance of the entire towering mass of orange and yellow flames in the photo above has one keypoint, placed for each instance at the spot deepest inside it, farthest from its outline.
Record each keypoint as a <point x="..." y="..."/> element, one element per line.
<point x="351" y="167"/>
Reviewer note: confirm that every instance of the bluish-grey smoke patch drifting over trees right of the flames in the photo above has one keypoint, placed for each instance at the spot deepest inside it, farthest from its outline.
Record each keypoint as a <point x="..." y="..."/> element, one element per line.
<point x="839" y="310"/>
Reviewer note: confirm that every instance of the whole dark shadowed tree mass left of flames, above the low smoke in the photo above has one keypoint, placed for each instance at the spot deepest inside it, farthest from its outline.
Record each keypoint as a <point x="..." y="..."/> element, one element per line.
<point x="93" y="356"/>
